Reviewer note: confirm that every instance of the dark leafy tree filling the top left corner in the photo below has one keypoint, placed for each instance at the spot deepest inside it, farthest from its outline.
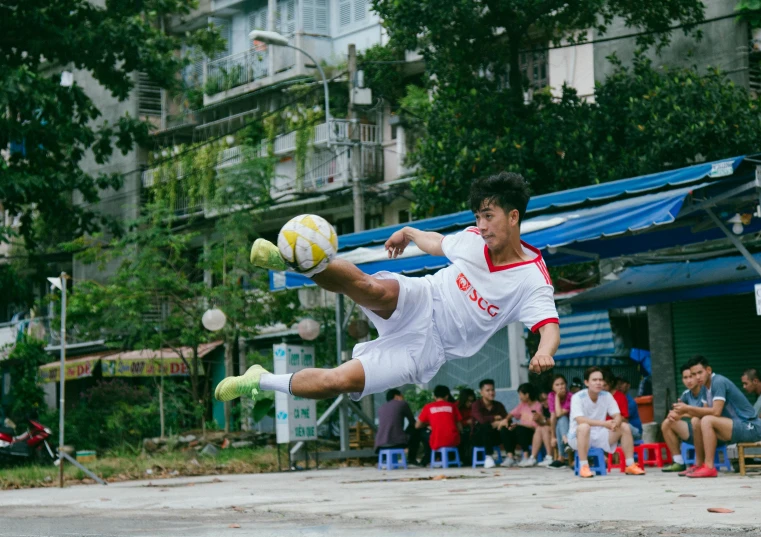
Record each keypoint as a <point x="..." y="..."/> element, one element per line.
<point x="50" y="128"/>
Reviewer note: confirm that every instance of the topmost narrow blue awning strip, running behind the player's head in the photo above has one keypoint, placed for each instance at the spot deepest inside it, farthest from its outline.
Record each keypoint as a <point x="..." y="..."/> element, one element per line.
<point x="564" y="199"/>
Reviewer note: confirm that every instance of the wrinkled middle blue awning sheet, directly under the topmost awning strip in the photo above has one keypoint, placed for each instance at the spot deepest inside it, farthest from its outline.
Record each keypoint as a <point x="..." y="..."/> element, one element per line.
<point x="617" y="218"/>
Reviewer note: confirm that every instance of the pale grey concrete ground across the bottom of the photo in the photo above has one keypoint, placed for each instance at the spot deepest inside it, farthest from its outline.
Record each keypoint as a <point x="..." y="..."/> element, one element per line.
<point x="417" y="502"/>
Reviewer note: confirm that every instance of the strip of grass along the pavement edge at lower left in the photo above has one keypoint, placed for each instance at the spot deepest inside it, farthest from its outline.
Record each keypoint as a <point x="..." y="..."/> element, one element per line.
<point x="126" y="466"/>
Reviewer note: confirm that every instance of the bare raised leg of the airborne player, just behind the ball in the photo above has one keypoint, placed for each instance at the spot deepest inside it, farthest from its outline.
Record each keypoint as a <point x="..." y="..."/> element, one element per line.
<point x="379" y="296"/>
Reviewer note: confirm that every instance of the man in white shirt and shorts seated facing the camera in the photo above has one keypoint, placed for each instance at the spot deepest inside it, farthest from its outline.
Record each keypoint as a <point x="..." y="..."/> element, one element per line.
<point x="589" y="428"/>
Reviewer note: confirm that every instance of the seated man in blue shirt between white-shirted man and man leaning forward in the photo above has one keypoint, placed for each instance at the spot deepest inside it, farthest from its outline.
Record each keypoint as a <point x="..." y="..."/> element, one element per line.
<point x="677" y="427"/>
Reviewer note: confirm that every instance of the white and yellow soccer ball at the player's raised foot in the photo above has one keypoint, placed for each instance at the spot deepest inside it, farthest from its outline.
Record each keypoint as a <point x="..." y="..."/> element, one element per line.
<point x="307" y="242"/>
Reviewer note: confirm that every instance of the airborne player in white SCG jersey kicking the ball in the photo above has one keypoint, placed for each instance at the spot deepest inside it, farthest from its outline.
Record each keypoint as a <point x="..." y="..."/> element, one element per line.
<point x="495" y="279"/>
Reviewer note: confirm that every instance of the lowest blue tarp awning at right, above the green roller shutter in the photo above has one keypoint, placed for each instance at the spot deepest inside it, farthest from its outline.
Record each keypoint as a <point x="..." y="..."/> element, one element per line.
<point x="668" y="282"/>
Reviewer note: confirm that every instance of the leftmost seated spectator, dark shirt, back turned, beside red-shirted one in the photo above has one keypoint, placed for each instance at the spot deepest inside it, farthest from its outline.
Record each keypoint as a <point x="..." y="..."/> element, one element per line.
<point x="391" y="431"/>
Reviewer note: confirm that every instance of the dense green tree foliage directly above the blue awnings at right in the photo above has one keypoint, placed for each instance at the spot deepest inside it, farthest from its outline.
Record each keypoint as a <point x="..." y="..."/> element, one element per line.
<point x="643" y="120"/>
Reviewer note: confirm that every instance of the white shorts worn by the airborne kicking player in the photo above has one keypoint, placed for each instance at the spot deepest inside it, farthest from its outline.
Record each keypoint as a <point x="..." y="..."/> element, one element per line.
<point x="408" y="349"/>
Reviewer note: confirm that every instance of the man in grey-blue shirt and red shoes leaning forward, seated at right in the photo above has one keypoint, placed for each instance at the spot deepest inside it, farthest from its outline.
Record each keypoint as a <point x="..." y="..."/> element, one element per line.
<point x="729" y="418"/>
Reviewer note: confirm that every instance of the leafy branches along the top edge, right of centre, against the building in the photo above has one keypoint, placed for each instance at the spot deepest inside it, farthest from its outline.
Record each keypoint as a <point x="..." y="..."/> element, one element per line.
<point x="460" y="39"/>
